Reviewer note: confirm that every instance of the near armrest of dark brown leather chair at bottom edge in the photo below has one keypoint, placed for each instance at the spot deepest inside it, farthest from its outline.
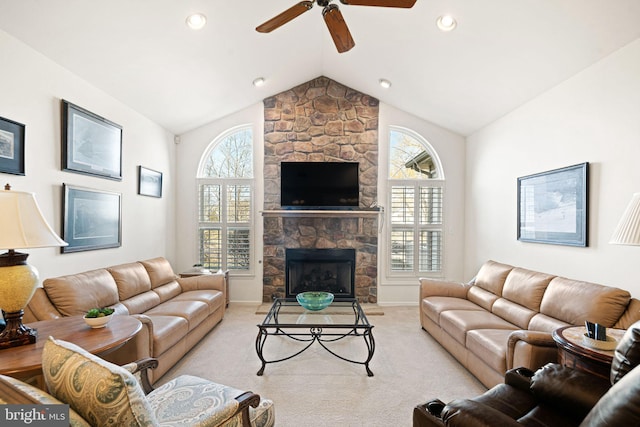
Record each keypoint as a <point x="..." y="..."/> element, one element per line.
<point x="469" y="413"/>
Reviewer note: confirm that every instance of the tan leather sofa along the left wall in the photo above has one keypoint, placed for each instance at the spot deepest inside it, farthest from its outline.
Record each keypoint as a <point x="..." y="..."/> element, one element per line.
<point x="175" y="312"/>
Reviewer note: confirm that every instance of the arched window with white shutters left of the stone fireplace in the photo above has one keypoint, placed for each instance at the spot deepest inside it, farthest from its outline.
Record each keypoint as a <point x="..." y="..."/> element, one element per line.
<point x="225" y="202"/>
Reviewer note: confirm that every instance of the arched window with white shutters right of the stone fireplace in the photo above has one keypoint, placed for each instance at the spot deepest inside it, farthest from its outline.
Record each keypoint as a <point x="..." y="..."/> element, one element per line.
<point x="416" y="191"/>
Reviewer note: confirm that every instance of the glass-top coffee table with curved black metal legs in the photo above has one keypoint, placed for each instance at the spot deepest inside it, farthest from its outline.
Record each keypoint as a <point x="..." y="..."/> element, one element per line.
<point x="344" y="318"/>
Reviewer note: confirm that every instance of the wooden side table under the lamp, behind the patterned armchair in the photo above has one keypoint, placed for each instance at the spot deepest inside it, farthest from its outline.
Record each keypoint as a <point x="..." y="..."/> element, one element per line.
<point x="25" y="362"/>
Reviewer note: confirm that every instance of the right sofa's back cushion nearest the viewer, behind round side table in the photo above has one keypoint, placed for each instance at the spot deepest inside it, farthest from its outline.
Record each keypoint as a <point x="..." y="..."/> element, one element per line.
<point x="574" y="302"/>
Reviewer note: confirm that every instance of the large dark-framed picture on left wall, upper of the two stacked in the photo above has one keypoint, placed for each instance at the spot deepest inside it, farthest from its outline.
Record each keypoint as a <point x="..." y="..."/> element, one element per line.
<point x="91" y="144"/>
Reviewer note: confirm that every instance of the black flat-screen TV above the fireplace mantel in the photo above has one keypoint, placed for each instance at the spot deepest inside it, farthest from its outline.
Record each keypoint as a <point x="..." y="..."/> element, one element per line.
<point x="319" y="184"/>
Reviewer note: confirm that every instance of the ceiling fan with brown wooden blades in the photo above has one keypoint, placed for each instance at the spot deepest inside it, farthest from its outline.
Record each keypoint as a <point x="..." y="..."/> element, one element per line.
<point x="332" y="17"/>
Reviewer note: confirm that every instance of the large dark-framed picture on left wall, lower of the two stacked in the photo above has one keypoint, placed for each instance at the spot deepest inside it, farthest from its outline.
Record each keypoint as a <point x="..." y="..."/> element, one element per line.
<point x="91" y="219"/>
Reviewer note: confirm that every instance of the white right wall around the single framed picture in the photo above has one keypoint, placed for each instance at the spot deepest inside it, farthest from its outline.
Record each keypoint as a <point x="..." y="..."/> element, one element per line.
<point x="592" y="117"/>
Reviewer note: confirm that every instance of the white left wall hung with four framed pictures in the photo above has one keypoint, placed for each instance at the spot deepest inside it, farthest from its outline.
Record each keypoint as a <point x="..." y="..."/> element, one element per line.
<point x="31" y="87"/>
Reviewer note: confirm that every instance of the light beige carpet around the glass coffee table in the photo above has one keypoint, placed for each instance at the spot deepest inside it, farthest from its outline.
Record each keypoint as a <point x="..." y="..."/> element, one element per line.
<point x="318" y="389"/>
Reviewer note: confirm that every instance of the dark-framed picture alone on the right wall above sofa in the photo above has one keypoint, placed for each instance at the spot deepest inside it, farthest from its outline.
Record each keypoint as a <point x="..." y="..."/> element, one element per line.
<point x="553" y="205"/>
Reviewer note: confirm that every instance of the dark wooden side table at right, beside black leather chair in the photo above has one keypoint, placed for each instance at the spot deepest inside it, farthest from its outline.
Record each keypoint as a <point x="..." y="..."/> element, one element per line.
<point x="573" y="353"/>
